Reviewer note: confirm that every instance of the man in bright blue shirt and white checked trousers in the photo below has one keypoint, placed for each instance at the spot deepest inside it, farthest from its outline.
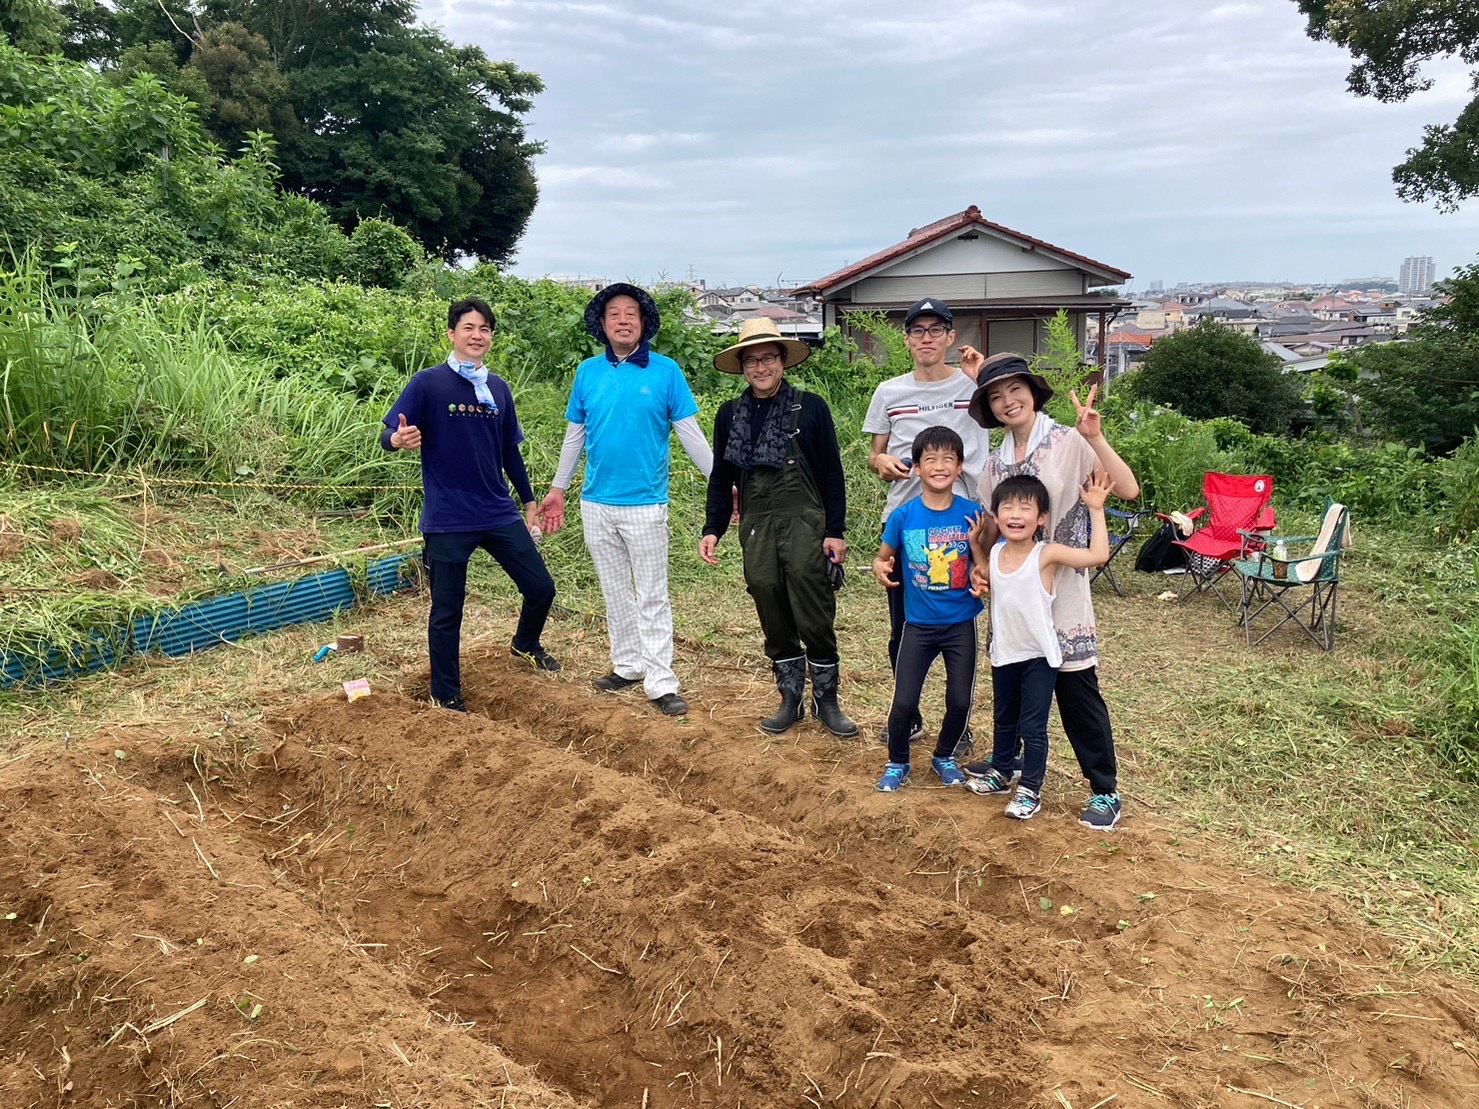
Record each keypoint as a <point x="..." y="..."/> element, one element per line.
<point x="623" y="407"/>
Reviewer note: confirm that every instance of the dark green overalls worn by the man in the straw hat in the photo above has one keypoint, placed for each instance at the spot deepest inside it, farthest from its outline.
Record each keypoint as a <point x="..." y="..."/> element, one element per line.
<point x="782" y="532"/>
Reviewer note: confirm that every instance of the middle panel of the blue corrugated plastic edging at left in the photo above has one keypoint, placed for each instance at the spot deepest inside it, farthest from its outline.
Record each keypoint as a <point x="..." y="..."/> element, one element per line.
<point x="209" y="623"/>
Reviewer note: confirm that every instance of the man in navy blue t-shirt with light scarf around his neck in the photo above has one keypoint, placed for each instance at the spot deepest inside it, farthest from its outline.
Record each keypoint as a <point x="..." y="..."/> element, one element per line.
<point x="461" y="418"/>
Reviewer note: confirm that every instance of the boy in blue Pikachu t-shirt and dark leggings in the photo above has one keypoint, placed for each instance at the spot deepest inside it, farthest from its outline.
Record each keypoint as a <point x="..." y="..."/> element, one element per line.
<point x="931" y="533"/>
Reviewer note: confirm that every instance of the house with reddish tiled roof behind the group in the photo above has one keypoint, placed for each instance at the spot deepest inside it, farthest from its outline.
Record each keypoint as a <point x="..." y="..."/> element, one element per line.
<point x="1004" y="286"/>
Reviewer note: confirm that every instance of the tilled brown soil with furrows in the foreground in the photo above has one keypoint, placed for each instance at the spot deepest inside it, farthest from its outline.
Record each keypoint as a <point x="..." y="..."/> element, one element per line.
<point x="569" y="900"/>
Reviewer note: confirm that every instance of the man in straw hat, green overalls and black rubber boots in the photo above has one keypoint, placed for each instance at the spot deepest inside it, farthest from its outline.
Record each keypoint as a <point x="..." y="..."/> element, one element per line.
<point x="779" y="446"/>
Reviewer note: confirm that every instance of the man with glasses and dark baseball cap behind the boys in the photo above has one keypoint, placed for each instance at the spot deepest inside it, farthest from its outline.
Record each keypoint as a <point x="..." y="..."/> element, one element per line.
<point x="903" y="407"/>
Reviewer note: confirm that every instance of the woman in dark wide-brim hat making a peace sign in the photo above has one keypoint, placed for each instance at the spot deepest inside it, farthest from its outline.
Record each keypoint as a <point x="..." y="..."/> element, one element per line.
<point x="1011" y="397"/>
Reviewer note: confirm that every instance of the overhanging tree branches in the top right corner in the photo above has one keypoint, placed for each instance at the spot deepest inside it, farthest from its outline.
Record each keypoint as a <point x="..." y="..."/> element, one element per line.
<point x="1391" y="41"/>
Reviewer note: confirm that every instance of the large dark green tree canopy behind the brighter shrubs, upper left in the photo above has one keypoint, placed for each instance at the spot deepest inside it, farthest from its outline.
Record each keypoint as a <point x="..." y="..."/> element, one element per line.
<point x="373" y="115"/>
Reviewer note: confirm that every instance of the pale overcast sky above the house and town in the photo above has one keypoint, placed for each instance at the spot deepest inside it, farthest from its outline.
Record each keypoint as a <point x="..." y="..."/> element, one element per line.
<point x="762" y="140"/>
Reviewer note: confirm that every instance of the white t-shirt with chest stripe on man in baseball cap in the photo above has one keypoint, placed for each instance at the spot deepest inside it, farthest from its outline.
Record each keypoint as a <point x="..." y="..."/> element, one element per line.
<point x="904" y="406"/>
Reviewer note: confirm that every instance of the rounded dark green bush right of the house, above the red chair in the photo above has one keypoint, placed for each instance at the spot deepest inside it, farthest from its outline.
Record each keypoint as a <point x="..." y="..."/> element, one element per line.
<point x="1212" y="370"/>
